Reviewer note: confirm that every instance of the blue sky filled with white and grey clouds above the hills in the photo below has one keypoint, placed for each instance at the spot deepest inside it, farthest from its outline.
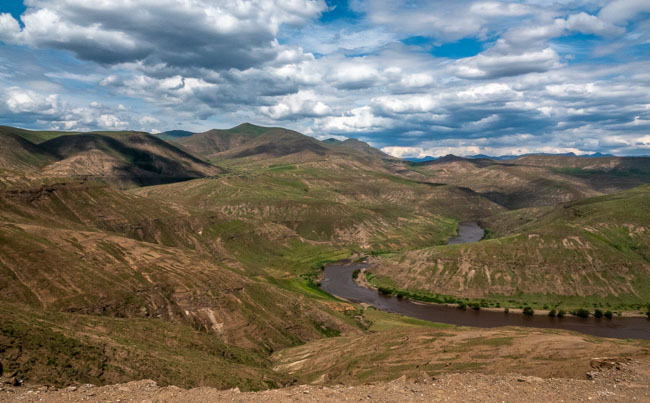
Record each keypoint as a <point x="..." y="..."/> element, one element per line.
<point x="414" y="78"/>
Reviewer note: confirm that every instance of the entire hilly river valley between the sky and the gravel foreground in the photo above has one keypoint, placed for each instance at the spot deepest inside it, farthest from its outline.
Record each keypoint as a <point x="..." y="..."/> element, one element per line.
<point x="202" y="260"/>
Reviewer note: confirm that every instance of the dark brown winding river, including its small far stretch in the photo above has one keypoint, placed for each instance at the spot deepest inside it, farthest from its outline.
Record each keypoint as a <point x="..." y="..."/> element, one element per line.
<point x="338" y="281"/>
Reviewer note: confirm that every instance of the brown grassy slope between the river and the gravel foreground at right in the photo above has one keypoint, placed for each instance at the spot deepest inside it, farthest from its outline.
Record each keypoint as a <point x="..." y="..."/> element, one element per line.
<point x="397" y="346"/>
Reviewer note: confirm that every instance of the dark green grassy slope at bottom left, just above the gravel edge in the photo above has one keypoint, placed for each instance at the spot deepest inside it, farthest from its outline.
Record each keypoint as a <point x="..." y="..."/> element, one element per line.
<point x="63" y="349"/>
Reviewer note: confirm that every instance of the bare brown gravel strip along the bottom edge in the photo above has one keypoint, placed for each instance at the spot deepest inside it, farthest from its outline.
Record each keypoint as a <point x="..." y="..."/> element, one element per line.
<point x="610" y="380"/>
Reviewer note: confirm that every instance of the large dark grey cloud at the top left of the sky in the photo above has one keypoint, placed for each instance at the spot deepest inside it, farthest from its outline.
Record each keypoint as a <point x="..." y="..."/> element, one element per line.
<point x="224" y="34"/>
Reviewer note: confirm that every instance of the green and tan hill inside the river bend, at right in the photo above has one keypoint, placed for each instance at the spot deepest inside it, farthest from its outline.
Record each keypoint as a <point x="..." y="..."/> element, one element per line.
<point x="597" y="247"/>
